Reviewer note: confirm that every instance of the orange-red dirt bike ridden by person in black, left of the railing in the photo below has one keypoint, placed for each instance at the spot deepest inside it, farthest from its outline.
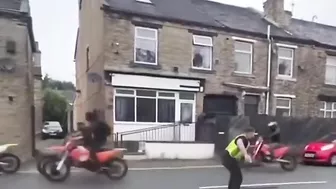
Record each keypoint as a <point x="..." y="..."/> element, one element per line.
<point x="72" y="154"/>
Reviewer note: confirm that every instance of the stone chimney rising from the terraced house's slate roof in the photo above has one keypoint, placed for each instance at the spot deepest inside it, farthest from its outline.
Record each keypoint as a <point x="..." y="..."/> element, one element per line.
<point x="275" y="11"/>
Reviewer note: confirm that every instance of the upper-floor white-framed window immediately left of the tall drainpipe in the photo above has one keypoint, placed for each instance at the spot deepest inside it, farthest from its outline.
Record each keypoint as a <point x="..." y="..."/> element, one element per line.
<point x="243" y="57"/>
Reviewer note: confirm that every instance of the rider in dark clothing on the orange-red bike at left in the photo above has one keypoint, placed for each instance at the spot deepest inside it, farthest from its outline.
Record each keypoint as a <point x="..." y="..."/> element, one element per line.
<point x="99" y="131"/>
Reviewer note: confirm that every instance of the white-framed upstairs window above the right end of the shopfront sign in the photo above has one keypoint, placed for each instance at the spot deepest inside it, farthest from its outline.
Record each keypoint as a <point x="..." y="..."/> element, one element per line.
<point x="202" y="52"/>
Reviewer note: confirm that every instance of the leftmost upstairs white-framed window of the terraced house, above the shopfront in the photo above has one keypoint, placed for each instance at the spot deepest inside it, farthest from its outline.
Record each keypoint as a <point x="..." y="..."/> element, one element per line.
<point x="145" y="45"/>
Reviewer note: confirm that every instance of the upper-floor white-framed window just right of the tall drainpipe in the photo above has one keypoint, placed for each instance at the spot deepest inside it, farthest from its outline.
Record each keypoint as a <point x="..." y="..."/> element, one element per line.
<point x="285" y="61"/>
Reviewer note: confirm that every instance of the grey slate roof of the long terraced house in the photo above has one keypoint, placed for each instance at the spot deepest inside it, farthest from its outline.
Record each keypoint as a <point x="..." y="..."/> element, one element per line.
<point x="225" y="16"/>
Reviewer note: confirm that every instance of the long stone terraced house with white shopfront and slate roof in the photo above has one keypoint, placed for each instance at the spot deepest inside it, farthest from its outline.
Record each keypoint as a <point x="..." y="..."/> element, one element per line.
<point x="151" y="62"/>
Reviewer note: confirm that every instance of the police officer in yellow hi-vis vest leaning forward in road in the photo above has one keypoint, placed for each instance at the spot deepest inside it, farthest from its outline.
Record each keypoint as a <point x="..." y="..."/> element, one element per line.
<point x="234" y="152"/>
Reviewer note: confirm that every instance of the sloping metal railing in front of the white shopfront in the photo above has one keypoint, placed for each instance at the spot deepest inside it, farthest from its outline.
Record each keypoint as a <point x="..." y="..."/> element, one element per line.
<point x="170" y="132"/>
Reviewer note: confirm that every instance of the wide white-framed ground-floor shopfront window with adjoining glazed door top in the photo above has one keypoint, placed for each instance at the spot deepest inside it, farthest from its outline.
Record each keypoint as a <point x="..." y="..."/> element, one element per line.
<point x="151" y="106"/>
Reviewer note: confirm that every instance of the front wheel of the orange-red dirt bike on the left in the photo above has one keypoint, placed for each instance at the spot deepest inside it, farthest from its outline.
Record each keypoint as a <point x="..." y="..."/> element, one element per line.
<point x="53" y="176"/>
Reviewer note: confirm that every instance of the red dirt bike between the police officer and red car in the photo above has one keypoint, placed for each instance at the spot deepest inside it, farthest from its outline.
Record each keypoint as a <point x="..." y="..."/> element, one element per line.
<point x="281" y="154"/>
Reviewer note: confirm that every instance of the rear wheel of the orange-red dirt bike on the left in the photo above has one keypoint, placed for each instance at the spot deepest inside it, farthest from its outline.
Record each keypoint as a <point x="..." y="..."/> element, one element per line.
<point x="110" y="173"/>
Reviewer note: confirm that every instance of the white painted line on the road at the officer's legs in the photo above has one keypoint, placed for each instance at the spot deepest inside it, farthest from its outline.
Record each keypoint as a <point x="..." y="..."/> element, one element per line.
<point x="269" y="184"/>
